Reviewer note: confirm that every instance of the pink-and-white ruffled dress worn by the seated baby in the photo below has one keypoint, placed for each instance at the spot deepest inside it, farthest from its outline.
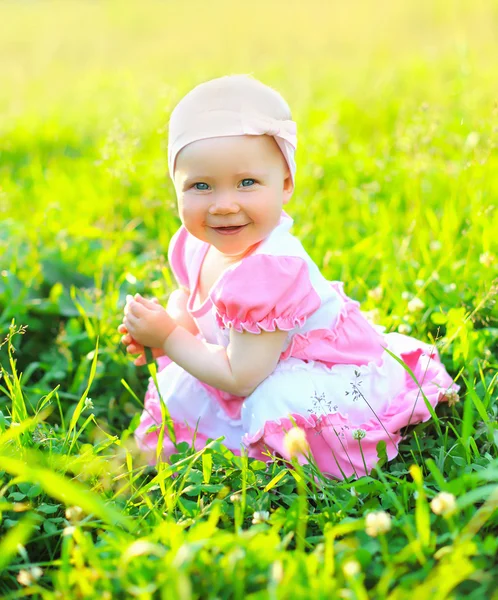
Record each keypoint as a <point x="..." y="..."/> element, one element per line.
<point x="334" y="376"/>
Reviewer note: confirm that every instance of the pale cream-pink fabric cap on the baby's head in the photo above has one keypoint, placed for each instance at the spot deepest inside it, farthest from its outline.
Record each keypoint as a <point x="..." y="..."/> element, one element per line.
<point x="232" y="105"/>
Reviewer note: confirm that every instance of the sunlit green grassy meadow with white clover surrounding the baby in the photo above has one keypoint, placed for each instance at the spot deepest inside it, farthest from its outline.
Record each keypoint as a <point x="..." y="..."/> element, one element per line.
<point x="397" y="113"/>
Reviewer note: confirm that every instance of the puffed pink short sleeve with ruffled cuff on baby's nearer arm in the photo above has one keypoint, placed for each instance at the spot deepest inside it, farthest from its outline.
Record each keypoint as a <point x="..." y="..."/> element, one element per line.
<point x="265" y="292"/>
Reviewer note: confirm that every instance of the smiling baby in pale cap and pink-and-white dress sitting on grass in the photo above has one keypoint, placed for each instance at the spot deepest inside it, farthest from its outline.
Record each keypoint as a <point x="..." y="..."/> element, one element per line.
<point x="255" y="339"/>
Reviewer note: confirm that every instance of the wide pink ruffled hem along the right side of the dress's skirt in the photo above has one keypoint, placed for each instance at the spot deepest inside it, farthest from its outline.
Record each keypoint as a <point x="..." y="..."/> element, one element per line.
<point x="333" y="438"/>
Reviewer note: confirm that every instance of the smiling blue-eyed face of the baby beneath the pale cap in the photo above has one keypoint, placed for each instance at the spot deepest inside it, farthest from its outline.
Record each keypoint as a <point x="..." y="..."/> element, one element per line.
<point x="231" y="190"/>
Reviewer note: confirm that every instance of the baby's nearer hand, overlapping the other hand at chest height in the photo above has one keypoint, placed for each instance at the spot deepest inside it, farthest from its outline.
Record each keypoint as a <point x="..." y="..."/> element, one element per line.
<point x="147" y="322"/>
